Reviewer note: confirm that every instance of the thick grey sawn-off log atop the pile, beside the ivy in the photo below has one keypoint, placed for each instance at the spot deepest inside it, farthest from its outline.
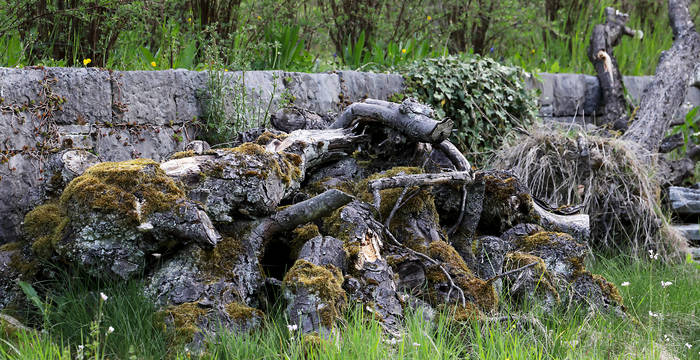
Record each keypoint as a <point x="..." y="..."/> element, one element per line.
<point x="411" y="118"/>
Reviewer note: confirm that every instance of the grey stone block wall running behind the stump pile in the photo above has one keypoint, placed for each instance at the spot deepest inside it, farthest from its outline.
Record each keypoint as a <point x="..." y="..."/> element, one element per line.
<point x="120" y="115"/>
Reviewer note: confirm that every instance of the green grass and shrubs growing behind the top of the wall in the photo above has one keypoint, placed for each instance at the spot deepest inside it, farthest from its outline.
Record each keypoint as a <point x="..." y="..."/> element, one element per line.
<point x="312" y="35"/>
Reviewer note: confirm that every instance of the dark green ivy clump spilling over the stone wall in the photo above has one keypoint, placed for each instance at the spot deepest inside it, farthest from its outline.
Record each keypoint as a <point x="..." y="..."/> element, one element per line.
<point x="484" y="99"/>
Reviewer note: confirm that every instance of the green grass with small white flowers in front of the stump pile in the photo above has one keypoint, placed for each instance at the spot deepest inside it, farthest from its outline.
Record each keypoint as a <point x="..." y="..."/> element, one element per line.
<point x="662" y="300"/>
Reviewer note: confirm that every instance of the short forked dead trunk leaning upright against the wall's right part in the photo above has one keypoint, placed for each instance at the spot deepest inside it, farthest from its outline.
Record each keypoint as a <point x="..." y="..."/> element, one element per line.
<point x="600" y="52"/>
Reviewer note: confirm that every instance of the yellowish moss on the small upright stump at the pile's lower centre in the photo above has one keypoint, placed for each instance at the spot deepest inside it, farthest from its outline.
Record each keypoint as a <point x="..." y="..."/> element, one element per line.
<point x="325" y="281"/>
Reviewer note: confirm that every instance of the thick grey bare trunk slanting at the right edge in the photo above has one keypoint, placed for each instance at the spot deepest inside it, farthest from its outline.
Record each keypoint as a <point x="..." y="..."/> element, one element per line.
<point x="673" y="75"/>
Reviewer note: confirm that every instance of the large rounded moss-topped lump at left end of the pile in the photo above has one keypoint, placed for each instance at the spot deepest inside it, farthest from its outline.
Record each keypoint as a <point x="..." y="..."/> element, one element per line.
<point x="115" y="214"/>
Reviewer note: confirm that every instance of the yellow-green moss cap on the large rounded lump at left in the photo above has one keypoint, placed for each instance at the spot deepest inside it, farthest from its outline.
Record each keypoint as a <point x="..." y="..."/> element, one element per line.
<point x="115" y="187"/>
